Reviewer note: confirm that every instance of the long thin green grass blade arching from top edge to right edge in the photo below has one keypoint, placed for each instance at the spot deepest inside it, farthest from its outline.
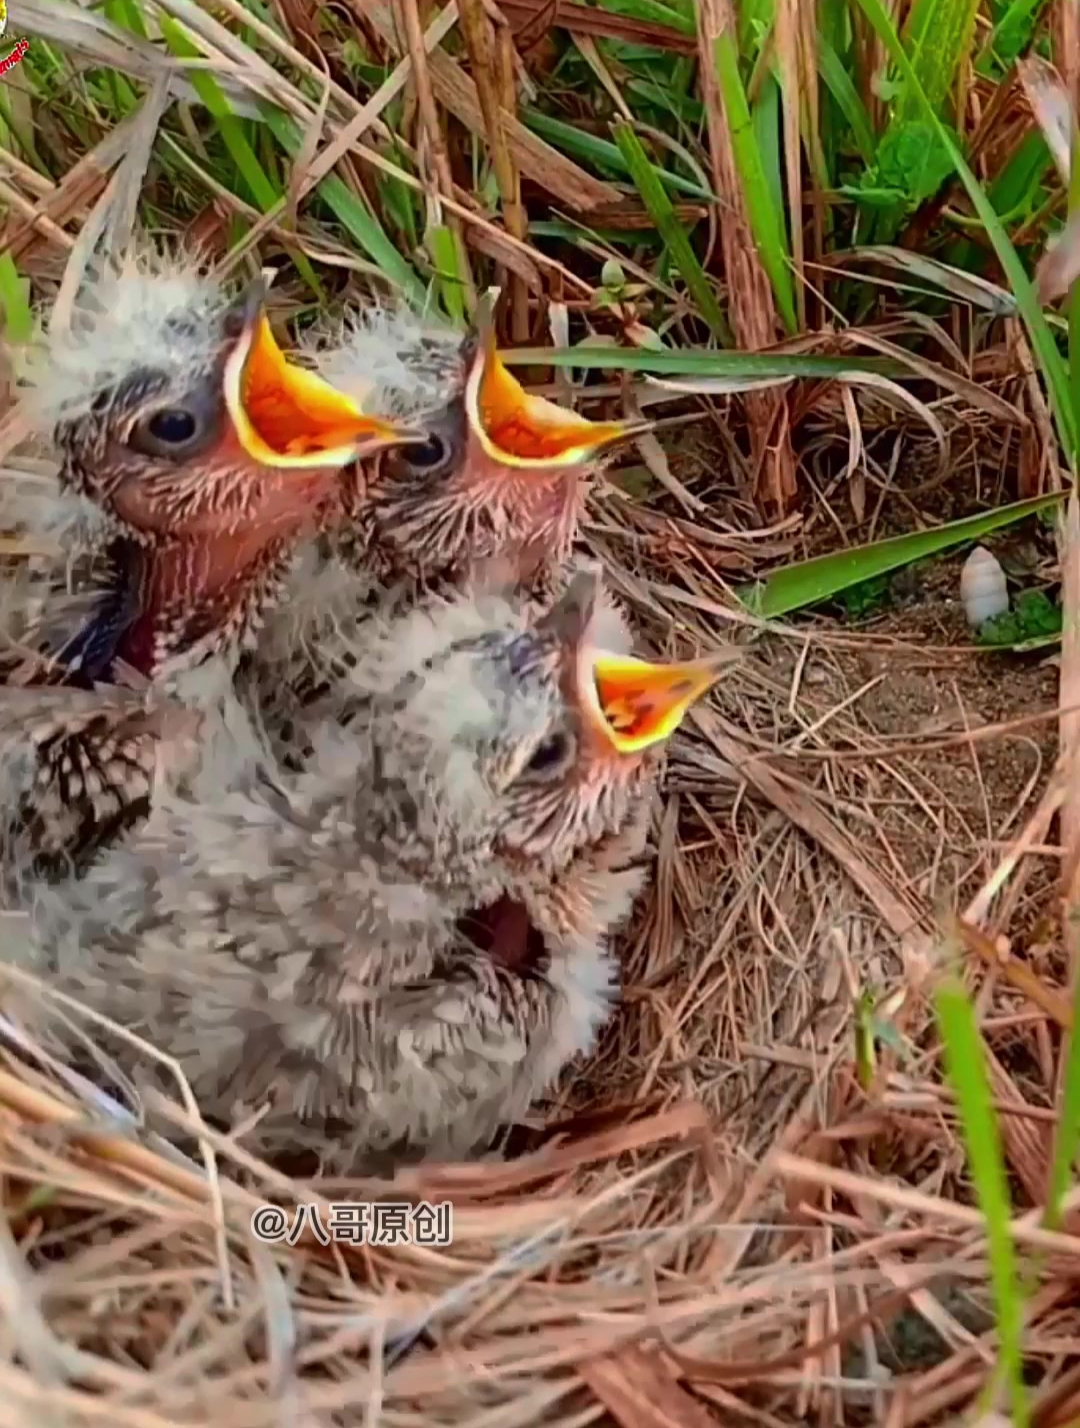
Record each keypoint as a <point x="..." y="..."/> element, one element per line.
<point x="1042" y="339"/>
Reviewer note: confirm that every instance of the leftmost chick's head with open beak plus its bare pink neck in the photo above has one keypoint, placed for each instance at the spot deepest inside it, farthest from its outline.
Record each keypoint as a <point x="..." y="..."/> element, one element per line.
<point x="208" y="452"/>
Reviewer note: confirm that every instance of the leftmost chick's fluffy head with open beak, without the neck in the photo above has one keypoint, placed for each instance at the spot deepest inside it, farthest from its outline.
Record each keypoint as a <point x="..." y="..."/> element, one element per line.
<point x="176" y="412"/>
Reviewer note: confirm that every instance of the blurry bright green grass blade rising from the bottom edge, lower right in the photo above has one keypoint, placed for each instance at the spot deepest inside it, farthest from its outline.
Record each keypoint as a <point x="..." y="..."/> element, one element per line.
<point x="968" y="1073"/>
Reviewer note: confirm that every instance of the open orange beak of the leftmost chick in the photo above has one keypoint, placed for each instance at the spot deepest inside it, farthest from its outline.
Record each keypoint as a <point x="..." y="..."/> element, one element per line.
<point x="285" y="416"/>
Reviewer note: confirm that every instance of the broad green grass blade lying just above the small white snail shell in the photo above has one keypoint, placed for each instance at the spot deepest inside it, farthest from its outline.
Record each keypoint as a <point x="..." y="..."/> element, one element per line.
<point x="809" y="582"/>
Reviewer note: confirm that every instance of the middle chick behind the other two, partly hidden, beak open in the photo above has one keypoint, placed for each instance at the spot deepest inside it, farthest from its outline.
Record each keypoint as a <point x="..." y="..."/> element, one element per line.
<point x="499" y="479"/>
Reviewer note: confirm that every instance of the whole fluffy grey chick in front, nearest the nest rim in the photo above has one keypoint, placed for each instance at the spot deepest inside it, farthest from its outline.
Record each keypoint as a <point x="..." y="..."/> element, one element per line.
<point x="388" y="952"/>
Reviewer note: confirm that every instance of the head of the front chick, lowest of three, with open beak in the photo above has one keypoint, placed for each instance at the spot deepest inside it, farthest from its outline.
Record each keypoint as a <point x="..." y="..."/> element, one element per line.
<point x="529" y="740"/>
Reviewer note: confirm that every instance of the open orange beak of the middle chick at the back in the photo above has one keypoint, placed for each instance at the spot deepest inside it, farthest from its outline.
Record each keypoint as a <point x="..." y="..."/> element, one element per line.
<point x="526" y="432"/>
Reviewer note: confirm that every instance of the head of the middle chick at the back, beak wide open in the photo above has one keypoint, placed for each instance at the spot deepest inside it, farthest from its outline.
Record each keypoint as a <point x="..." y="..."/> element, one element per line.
<point x="499" y="469"/>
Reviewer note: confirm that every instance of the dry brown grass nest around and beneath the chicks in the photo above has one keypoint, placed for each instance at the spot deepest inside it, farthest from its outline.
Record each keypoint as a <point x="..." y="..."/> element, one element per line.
<point x="751" y="1207"/>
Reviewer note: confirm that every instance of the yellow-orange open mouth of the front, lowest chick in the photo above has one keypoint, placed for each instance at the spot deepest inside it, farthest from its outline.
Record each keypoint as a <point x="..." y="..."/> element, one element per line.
<point x="638" y="705"/>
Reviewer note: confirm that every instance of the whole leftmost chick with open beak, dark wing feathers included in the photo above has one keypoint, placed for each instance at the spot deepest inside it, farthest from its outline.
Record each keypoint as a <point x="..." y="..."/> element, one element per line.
<point x="196" y="459"/>
